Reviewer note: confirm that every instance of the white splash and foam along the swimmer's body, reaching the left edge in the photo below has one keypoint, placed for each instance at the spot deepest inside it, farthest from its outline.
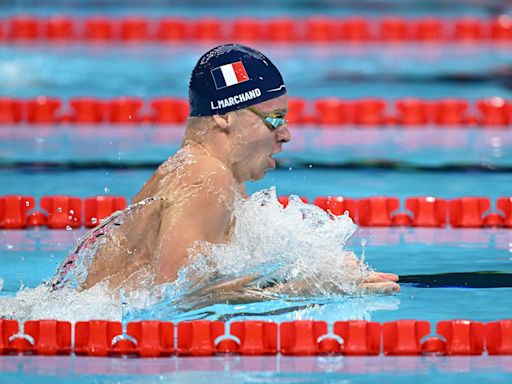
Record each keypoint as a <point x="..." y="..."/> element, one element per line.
<point x="300" y="248"/>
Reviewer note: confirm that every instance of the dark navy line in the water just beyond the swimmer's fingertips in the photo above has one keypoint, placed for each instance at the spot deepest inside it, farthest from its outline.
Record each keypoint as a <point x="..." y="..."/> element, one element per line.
<point x="481" y="279"/>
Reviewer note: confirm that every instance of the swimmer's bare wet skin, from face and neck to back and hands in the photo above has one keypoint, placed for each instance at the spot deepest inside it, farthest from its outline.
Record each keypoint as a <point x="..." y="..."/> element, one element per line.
<point x="198" y="186"/>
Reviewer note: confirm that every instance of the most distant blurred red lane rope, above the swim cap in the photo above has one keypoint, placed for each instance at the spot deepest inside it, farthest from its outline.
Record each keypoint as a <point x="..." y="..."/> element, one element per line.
<point x="280" y="30"/>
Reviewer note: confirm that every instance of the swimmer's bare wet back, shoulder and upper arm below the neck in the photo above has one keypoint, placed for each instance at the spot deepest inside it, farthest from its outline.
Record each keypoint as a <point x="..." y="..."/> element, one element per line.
<point x="196" y="194"/>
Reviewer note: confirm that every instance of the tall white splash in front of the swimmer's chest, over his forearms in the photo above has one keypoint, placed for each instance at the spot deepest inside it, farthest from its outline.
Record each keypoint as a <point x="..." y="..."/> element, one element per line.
<point x="300" y="246"/>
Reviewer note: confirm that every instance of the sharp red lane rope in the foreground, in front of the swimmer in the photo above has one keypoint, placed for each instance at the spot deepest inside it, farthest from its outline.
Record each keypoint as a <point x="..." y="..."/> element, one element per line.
<point x="152" y="338"/>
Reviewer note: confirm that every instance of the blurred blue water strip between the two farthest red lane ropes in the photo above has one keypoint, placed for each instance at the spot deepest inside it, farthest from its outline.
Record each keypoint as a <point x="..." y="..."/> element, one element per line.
<point x="149" y="70"/>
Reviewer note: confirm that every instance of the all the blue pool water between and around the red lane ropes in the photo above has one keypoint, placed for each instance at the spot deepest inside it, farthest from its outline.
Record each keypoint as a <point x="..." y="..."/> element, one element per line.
<point x="449" y="273"/>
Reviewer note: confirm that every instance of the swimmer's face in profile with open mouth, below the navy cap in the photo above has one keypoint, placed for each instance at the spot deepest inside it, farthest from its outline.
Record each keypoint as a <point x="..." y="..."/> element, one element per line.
<point x="254" y="144"/>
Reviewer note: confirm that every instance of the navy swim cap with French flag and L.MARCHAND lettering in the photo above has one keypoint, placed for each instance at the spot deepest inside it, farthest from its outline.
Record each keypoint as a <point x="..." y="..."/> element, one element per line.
<point x="231" y="77"/>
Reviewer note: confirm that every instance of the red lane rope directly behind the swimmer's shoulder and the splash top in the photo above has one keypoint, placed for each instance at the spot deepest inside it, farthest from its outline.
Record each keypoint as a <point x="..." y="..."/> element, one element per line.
<point x="18" y="212"/>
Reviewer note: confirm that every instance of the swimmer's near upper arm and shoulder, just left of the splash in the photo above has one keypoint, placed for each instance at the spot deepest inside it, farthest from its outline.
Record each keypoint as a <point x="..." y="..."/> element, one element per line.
<point x="203" y="215"/>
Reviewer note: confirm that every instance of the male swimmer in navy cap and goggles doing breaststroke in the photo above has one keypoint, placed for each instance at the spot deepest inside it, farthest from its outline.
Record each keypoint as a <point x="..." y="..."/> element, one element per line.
<point x="238" y="104"/>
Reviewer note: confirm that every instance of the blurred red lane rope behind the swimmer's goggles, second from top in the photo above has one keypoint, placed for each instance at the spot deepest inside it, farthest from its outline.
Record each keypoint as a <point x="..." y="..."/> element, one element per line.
<point x="490" y="112"/>
